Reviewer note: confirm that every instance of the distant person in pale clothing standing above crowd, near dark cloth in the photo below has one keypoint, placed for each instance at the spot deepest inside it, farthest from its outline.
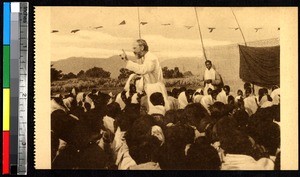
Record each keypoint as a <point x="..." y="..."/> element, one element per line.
<point x="211" y="77"/>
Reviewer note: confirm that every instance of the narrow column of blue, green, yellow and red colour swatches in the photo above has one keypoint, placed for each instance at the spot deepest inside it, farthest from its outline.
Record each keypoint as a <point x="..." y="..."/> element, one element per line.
<point x="6" y="89"/>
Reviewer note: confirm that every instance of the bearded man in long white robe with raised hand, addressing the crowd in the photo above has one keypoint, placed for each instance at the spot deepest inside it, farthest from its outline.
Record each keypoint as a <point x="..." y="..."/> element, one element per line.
<point x="148" y="67"/>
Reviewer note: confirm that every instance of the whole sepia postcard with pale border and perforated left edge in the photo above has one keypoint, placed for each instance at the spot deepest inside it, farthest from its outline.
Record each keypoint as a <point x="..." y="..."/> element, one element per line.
<point x="162" y="88"/>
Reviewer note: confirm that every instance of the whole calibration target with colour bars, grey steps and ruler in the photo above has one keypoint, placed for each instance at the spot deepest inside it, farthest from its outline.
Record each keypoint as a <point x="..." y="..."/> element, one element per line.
<point x="15" y="64"/>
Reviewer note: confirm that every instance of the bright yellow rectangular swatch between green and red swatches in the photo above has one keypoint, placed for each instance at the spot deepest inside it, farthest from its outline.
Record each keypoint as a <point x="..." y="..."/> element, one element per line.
<point x="6" y="109"/>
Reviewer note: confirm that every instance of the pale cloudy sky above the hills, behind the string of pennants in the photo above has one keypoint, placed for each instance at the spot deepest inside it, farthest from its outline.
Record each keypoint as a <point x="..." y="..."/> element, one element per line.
<point x="166" y="41"/>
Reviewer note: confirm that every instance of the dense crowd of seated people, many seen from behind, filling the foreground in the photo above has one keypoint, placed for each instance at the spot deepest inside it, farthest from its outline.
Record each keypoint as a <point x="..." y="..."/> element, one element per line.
<point x="192" y="130"/>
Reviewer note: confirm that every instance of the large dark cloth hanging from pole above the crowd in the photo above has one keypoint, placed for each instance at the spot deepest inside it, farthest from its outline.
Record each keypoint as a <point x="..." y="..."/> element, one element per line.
<point x="260" y="65"/>
